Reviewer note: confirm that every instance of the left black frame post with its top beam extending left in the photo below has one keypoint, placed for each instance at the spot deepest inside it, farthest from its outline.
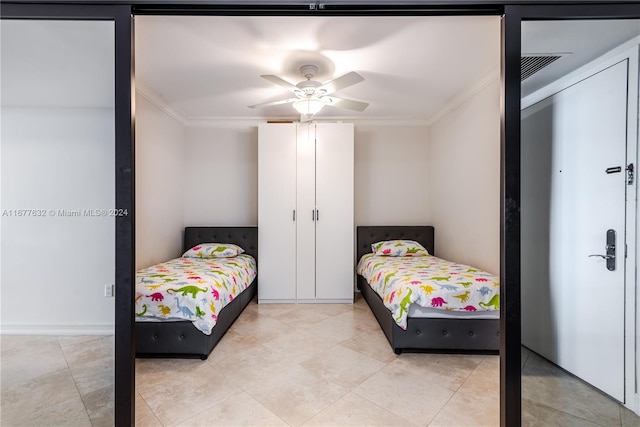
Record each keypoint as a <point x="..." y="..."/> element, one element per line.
<point x="124" y="180"/>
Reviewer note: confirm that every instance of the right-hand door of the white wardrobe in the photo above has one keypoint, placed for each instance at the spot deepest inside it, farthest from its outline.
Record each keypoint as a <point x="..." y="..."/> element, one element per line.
<point x="334" y="221"/>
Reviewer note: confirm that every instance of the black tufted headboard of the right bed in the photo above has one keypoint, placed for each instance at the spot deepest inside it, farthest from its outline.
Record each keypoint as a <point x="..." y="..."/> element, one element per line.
<point x="366" y="235"/>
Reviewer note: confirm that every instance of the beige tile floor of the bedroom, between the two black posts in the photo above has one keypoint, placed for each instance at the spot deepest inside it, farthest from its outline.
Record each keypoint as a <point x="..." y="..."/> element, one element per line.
<point x="316" y="365"/>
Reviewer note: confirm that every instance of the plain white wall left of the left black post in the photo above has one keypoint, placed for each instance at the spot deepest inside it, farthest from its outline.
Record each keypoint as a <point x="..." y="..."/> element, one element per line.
<point x="54" y="268"/>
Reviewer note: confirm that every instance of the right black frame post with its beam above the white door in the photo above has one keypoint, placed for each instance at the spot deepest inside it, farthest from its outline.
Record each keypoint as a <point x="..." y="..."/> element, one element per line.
<point x="510" y="407"/>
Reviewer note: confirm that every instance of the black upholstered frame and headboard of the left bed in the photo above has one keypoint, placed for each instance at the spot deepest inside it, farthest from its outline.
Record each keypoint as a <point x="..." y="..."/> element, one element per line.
<point x="181" y="338"/>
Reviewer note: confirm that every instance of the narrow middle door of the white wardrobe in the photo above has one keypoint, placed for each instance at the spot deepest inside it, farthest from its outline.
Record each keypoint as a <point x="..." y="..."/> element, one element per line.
<point x="306" y="202"/>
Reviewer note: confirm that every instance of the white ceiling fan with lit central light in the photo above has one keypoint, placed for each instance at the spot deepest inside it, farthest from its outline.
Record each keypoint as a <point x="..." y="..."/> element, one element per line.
<point x="312" y="96"/>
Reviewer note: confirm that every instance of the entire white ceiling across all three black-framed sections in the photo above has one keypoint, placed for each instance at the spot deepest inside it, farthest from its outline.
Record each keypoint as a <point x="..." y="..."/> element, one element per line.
<point x="209" y="68"/>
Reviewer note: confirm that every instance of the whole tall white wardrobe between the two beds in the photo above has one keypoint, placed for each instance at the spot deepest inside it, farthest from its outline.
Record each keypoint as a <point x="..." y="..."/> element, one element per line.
<point x="305" y="212"/>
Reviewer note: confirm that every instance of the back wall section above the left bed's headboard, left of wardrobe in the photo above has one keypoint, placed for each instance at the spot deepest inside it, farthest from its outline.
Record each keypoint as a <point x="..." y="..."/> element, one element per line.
<point x="221" y="177"/>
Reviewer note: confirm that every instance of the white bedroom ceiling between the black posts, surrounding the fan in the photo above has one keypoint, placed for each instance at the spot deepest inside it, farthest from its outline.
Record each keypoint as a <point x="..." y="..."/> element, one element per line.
<point x="208" y="68"/>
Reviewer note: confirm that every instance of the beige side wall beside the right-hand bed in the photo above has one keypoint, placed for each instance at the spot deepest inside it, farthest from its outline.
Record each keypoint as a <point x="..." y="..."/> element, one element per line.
<point x="464" y="181"/>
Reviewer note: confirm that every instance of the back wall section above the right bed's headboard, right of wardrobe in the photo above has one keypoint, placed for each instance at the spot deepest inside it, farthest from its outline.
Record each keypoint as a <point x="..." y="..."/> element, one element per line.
<point x="392" y="175"/>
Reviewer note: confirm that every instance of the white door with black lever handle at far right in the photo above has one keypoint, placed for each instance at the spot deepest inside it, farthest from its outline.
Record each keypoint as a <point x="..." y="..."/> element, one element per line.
<point x="589" y="138"/>
